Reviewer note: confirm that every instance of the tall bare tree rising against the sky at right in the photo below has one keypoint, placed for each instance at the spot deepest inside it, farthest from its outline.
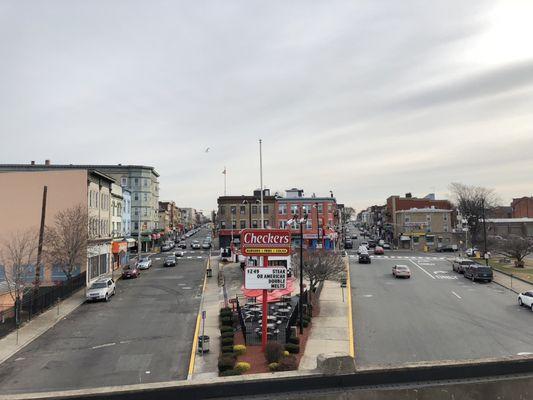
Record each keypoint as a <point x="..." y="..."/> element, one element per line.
<point x="471" y="202"/>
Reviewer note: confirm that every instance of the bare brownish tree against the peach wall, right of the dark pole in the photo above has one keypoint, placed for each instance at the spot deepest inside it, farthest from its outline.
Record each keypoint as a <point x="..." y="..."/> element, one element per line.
<point x="66" y="241"/>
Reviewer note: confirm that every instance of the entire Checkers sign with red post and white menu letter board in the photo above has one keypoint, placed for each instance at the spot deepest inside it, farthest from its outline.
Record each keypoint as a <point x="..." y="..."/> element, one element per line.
<point x="262" y="243"/>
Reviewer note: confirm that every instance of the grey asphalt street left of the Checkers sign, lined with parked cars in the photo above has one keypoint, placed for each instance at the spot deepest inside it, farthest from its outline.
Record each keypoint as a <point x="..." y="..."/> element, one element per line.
<point x="144" y="334"/>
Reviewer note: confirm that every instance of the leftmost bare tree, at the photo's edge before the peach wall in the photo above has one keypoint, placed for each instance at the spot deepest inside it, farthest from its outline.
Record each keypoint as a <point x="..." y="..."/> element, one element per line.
<point x="18" y="254"/>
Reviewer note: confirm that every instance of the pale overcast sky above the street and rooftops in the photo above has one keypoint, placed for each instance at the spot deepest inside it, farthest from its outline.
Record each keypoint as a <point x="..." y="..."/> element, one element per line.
<point x="365" y="98"/>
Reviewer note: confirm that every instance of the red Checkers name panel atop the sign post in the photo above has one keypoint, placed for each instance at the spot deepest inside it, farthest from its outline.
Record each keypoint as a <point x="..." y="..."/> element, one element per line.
<point x="264" y="242"/>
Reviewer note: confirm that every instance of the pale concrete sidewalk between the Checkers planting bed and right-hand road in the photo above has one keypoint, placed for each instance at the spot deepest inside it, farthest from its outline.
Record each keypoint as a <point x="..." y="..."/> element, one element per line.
<point x="329" y="330"/>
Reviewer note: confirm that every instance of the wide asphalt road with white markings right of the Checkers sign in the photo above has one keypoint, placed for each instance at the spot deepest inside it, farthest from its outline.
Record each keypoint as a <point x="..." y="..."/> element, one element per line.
<point x="435" y="315"/>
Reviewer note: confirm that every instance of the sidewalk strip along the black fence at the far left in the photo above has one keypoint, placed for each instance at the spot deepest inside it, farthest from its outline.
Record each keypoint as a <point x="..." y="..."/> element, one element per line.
<point x="30" y="331"/>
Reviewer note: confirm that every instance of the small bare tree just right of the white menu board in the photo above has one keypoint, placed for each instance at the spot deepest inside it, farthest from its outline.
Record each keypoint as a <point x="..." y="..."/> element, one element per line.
<point x="319" y="265"/>
